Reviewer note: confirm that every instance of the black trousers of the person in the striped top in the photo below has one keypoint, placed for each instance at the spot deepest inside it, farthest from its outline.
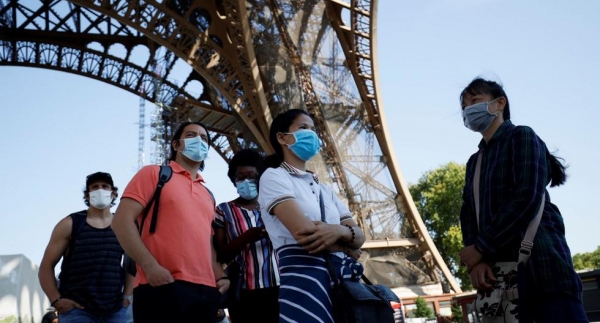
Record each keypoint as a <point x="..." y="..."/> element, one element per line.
<point x="257" y="305"/>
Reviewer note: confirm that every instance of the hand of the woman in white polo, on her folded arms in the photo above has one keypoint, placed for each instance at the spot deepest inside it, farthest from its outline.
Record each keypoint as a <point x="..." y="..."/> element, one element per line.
<point x="320" y="237"/>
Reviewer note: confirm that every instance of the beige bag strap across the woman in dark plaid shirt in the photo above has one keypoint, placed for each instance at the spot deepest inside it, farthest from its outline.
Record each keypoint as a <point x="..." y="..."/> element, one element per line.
<point x="527" y="243"/>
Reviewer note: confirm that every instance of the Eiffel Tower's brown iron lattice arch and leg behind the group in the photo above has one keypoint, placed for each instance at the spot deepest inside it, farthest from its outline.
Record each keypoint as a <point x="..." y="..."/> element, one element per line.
<point x="234" y="65"/>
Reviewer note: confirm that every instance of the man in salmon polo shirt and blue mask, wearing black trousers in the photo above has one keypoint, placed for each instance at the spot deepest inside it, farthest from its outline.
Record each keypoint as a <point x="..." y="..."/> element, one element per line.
<point x="178" y="277"/>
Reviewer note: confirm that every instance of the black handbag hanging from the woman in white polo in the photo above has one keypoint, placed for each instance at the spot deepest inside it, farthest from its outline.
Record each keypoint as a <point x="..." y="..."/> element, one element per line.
<point x="355" y="302"/>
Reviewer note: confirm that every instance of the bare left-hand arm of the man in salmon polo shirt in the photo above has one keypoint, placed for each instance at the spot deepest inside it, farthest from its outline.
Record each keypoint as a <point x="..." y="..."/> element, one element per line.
<point x="127" y="233"/>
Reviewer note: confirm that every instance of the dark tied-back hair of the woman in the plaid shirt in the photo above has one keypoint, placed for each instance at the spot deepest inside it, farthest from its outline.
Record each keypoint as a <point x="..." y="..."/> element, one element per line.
<point x="495" y="90"/>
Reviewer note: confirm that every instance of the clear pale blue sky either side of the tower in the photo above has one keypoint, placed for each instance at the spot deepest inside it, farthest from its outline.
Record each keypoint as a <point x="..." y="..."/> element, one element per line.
<point x="56" y="128"/>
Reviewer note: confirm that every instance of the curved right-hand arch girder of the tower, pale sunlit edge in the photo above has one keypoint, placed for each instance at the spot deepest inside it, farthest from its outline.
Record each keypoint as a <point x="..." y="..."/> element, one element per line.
<point x="359" y="43"/>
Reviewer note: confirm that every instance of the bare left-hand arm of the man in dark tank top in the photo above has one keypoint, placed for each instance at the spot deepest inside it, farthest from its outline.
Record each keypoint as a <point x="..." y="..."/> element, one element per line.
<point x="57" y="247"/>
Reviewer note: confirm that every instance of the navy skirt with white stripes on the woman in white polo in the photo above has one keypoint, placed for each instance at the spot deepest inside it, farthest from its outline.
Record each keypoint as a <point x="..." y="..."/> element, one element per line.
<point x="305" y="284"/>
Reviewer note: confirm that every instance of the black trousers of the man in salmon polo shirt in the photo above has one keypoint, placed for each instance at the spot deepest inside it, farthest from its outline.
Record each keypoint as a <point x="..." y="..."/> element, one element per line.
<point x="179" y="301"/>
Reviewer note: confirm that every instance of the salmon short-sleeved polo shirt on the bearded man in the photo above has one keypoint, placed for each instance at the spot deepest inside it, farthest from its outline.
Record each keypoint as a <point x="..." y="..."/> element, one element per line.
<point x="181" y="242"/>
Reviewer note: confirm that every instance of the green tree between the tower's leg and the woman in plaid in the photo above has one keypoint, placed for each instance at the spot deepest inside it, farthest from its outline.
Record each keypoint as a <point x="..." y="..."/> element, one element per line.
<point x="438" y="197"/>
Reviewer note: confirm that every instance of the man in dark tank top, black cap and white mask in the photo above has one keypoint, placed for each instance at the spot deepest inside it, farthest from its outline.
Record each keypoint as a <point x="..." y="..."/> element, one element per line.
<point x="91" y="285"/>
